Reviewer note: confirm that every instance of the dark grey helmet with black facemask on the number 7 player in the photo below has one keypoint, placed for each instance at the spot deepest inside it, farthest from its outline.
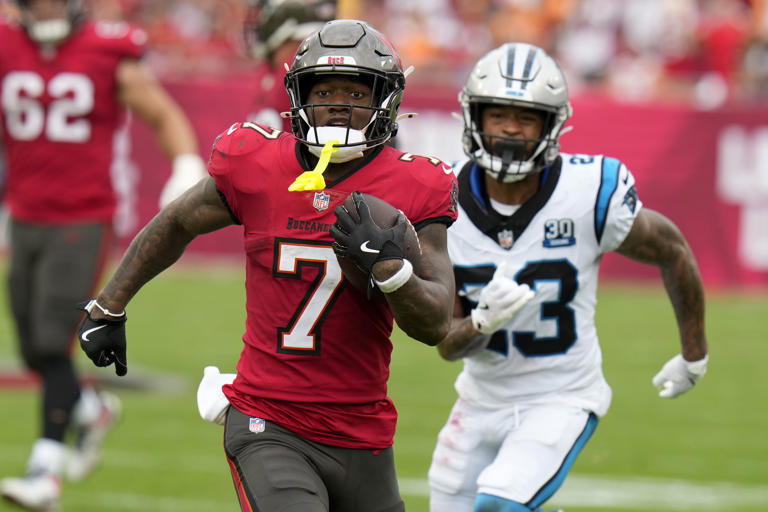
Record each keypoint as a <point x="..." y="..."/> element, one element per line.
<point x="352" y="48"/>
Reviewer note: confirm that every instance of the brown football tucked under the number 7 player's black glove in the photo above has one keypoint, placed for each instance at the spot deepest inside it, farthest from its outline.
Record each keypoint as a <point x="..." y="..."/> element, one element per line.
<point x="385" y="216"/>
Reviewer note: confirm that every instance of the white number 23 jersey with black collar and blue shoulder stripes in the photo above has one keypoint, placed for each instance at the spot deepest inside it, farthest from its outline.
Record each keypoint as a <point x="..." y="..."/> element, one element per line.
<point x="549" y="351"/>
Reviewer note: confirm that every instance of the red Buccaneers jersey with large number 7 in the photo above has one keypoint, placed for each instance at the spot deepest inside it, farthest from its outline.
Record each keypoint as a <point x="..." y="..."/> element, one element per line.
<point x="317" y="352"/>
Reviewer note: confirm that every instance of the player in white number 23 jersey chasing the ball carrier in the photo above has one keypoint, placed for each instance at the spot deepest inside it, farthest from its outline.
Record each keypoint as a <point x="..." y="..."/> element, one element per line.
<point x="532" y="229"/>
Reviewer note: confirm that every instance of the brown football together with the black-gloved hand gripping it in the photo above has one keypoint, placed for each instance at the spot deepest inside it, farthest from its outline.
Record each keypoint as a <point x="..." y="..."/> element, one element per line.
<point x="368" y="230"/>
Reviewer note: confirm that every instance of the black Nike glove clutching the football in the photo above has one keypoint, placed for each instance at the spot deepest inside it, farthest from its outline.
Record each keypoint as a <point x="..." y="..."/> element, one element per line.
<point x="364" y="242"/>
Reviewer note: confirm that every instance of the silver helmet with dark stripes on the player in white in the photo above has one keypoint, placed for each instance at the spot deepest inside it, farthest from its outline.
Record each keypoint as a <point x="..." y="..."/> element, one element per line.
<point x="516" y="74"/>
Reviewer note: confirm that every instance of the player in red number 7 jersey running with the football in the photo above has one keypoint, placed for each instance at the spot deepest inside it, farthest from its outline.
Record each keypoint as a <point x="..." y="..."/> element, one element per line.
<point x="310" y="426"/>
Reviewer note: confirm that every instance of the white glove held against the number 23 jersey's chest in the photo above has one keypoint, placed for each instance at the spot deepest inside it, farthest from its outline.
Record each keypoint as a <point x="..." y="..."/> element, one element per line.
<point x="499" y="301"/>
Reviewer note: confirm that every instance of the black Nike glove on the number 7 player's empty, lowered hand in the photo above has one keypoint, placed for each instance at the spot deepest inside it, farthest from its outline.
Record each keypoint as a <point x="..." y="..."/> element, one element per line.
<point x="103" y="340"/>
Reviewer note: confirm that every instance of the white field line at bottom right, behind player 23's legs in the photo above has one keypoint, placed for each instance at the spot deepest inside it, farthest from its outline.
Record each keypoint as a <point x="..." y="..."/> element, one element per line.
<point x="597" y="492"/>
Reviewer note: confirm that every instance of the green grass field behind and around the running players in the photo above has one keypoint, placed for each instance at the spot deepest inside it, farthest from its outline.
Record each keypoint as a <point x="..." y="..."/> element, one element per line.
<point x="707" y="450"/>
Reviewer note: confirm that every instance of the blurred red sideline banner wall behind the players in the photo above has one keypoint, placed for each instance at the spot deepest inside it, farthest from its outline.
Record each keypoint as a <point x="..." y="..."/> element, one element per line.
<point x="705" y="170"/>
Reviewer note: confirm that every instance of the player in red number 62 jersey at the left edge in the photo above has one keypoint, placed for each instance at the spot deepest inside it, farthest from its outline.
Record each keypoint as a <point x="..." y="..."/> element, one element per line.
<point x="65" y="83"/>
